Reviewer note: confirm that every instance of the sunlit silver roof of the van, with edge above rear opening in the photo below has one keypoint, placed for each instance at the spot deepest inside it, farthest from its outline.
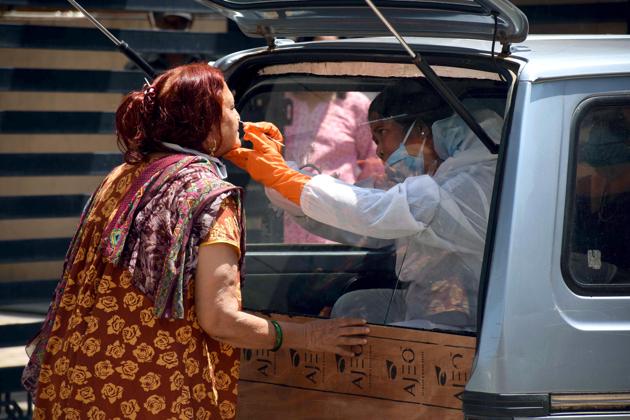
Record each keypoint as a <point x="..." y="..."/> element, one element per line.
<point x="541" y="57"/>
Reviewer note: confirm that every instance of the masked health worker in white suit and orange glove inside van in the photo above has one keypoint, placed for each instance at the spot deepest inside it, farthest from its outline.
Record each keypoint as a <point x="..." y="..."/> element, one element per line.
<point x="434" y="211"/>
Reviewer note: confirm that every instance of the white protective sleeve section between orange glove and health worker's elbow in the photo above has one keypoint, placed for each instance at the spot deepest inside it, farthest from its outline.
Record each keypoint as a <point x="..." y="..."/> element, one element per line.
<point x="390" y="214"/>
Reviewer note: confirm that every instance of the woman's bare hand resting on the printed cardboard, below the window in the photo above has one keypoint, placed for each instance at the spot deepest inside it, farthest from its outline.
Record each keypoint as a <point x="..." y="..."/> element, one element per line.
<point x="335" y="335"/>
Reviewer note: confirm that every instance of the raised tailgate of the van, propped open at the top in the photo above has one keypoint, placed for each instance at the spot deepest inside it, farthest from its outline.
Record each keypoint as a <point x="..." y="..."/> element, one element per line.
<point x="466" y="19"/>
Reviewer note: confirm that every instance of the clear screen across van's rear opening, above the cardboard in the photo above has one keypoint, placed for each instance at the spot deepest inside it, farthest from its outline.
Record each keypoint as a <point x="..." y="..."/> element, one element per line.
<point x="417" y="262"/>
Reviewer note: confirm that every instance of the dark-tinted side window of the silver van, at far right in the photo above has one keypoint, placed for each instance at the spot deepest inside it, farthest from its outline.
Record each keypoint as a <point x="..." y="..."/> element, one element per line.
<point x="597" y="255"/>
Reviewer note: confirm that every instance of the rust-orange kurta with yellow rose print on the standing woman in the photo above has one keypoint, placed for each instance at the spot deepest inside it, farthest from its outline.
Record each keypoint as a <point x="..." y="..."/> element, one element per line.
<point x="109" y="357"/>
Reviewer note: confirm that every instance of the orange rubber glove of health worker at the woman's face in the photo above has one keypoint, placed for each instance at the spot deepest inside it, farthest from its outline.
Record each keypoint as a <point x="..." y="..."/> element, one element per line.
<point x="265" y="163"/>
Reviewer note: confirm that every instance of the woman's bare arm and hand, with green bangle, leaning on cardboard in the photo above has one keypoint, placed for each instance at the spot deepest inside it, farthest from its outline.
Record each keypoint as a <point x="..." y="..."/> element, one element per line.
<point x="217" y="302"/>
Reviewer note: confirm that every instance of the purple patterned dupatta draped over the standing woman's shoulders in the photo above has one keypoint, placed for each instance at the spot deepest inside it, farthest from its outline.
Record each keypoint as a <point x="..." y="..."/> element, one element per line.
<point x="155" y="234"/>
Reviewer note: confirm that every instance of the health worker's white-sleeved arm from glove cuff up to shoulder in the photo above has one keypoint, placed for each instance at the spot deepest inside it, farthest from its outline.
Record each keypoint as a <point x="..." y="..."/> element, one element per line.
<point x="452" y="215"/>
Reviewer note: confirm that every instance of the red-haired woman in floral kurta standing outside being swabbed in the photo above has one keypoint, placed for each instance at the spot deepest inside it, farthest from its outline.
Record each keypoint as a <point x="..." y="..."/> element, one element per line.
<point x="146" y="317"/>
